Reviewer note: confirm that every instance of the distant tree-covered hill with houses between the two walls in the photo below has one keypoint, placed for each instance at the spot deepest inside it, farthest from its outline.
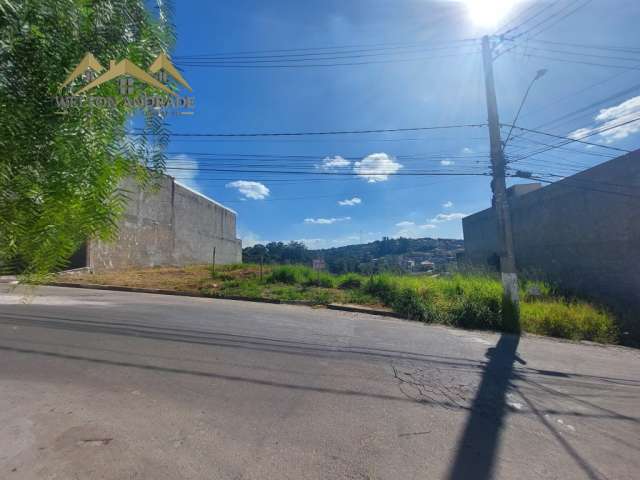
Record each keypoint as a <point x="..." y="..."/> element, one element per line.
<point x="396" y="254"/>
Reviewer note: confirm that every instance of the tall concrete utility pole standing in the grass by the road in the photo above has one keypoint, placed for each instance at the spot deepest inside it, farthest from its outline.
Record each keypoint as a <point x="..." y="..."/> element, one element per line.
<point x="498" y="184"/>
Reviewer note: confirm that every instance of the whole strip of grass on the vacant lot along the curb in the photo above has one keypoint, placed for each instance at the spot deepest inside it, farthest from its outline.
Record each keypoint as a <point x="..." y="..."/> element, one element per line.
<point x="465" y="301"/>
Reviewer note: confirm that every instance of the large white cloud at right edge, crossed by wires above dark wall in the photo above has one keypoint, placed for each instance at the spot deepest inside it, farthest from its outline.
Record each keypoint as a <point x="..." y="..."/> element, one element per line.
<point x="609" y="117"/>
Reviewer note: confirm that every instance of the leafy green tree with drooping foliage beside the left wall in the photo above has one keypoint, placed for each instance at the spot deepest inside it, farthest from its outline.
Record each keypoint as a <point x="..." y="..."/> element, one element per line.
<point x="59" y="174"/>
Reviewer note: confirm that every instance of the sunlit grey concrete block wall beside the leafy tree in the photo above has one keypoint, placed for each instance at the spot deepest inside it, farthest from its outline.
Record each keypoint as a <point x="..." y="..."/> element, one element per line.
<point x="171" y="226"/>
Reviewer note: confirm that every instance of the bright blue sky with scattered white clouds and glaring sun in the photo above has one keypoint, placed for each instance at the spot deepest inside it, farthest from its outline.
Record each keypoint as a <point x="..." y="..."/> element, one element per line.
<point x="293" y="67"/>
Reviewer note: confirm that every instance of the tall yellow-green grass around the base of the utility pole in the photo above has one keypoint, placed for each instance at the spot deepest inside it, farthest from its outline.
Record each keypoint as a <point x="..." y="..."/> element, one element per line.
<point x="476" y="302"/>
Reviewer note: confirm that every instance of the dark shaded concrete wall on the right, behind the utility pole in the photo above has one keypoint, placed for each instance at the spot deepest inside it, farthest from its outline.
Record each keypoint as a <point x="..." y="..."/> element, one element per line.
<point x="582" y="232"/>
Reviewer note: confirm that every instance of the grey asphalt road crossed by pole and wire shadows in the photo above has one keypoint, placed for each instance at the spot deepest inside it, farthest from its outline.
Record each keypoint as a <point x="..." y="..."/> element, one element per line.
<point x="111" y="385"/>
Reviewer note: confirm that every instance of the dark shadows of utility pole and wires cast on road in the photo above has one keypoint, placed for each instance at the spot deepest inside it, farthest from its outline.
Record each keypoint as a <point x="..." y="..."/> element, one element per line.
<point x="478" y="447"/>
